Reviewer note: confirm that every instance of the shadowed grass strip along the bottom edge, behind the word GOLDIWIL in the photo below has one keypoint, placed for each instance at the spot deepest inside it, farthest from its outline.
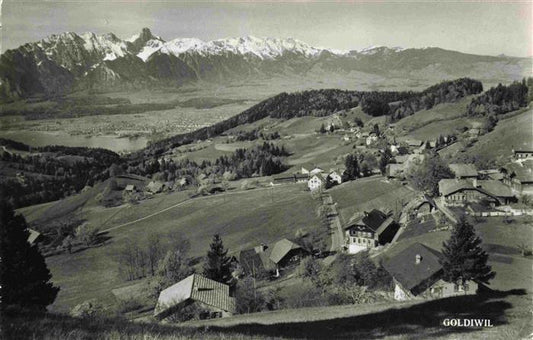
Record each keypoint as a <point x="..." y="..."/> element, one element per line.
<point x="508" y="311"/>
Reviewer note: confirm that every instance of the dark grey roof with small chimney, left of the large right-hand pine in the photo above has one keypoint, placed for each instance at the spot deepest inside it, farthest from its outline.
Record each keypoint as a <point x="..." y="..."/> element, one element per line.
<point x="407" y="272"/>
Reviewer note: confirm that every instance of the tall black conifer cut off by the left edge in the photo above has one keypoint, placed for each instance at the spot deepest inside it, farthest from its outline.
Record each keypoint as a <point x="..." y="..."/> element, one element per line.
<point x="24" y="276"/>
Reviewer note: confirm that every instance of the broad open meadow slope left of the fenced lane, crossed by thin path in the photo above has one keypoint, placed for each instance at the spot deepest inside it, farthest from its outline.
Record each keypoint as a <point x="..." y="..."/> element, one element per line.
<point x="243" y="219"/>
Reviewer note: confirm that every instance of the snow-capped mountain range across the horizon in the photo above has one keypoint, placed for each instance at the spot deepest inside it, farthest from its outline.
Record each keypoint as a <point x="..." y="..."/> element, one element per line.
<point x="68" y="62"/>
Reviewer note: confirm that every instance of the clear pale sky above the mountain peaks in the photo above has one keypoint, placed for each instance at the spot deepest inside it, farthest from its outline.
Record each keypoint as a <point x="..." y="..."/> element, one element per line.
<point x="487" y="28"/>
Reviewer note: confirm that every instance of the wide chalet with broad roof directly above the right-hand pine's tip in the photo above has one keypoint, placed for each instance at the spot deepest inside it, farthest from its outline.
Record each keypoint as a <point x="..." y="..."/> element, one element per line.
<point x="455" y="192"/>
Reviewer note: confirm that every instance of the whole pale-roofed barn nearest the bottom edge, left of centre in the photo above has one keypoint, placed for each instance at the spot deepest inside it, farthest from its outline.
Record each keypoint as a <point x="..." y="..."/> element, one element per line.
<point x="211" y="298"/>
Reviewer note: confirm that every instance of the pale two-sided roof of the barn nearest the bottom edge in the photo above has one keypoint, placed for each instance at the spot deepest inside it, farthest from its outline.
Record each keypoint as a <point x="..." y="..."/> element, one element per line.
<point x="197" y="288"/>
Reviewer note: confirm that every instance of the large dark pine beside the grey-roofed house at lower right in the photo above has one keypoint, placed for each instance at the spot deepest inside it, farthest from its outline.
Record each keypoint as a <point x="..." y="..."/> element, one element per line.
<point x="464" y="259"/>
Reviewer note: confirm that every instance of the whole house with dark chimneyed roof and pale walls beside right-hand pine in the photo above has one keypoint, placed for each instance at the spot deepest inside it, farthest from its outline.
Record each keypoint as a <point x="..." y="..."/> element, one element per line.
<point x="417" y="273"/>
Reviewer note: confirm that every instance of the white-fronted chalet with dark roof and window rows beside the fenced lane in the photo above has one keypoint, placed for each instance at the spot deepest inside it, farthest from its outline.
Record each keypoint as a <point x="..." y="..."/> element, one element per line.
<point x="372" y="229"/>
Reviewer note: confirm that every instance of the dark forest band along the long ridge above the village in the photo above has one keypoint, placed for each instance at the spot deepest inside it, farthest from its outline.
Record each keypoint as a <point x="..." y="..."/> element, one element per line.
<point x="325" y="102"/>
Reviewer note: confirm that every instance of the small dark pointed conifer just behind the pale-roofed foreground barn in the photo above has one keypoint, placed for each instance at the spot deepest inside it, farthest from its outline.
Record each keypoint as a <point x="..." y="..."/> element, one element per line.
<point x="217" y="266"/>
